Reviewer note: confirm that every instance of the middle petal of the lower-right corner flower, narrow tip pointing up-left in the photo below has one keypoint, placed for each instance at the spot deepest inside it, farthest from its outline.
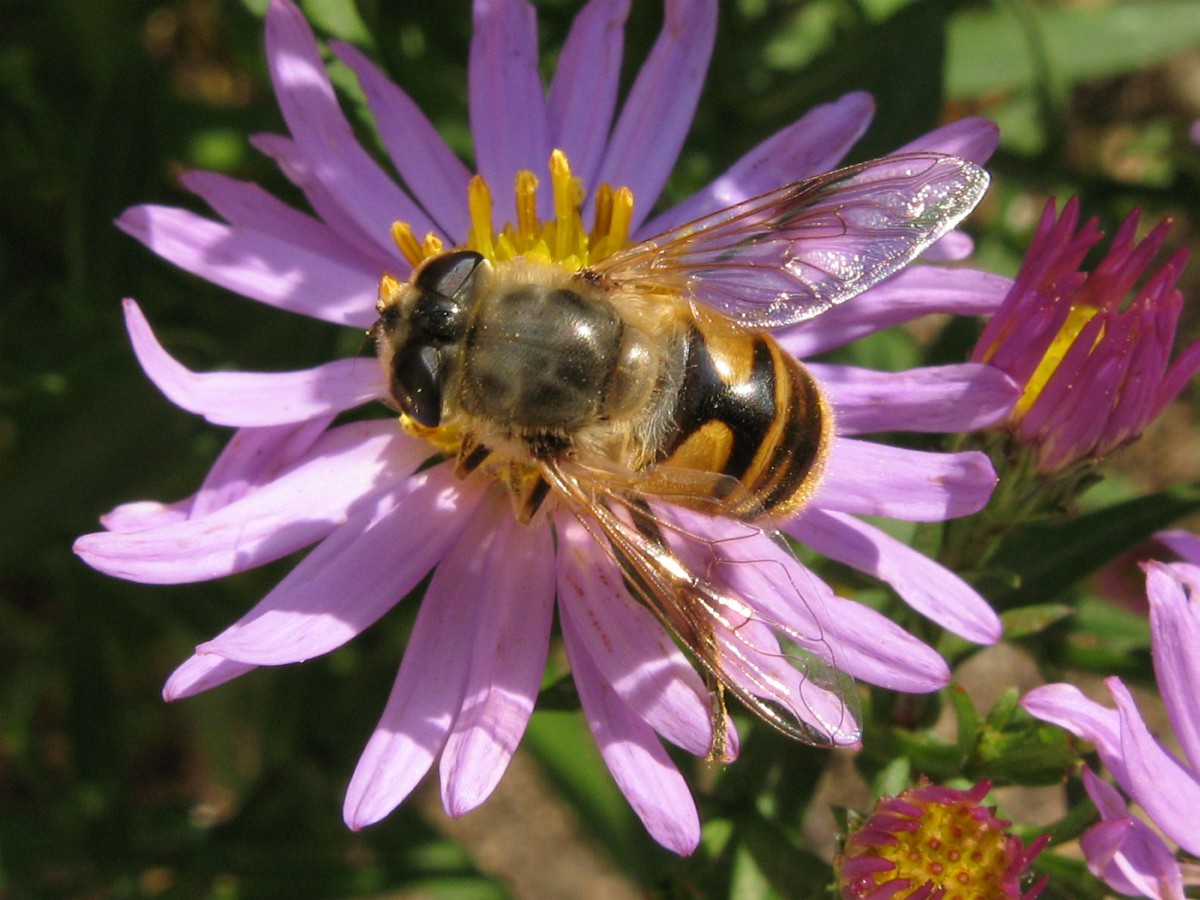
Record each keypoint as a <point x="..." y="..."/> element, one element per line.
<point x="1163" y="788"/>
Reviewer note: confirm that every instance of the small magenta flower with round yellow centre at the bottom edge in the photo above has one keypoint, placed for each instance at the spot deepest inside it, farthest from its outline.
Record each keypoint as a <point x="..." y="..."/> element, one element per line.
<point x="932" y="843"/>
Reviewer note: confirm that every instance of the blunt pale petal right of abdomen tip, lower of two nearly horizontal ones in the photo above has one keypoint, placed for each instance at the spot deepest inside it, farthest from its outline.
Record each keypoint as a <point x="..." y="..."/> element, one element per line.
<point x="917" y="487"/>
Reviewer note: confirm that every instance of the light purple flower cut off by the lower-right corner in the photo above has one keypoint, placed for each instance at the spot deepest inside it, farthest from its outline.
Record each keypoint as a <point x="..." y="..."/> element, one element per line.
<point x="1123" y="850"/>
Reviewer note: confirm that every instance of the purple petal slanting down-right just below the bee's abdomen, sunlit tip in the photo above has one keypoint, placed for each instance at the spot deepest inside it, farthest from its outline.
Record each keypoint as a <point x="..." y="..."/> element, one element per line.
<point x="925" y="585"/>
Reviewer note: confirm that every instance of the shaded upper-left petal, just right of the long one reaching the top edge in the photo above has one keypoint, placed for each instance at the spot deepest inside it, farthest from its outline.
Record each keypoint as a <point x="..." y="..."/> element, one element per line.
<point x="435" y="176"/>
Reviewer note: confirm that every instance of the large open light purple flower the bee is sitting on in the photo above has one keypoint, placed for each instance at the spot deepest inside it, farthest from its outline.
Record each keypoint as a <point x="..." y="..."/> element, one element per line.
<point x="381" y="523"/>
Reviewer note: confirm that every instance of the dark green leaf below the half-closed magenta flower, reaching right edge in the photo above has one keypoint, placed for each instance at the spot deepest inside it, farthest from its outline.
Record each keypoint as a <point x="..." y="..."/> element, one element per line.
<point x="1048" y="559"/>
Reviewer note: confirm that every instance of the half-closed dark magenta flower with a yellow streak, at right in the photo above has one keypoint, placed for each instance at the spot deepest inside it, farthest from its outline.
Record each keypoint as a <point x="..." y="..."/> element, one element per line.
<point x="1095" y="365"/>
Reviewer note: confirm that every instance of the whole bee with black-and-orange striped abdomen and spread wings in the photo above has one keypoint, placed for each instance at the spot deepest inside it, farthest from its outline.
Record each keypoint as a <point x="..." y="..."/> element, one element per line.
<point x="650" y="381"/>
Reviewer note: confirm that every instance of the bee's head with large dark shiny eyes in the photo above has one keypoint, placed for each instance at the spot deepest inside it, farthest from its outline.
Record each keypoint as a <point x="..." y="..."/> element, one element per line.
<point x="419" y="326"/>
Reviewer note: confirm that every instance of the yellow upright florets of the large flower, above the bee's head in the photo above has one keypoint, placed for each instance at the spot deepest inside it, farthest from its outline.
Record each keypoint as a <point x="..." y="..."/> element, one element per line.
<point x="562" y="241"/>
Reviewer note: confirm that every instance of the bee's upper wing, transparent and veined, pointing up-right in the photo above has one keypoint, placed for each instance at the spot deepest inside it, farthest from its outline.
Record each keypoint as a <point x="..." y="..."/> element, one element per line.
<point x="793" y="254"/>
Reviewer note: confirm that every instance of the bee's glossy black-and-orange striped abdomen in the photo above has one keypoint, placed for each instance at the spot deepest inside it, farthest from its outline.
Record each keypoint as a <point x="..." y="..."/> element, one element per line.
<point x="751" y="412"/>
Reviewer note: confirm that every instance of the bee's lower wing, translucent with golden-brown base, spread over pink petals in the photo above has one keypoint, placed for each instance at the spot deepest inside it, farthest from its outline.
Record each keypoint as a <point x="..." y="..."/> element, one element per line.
<point x="715" y="603"/>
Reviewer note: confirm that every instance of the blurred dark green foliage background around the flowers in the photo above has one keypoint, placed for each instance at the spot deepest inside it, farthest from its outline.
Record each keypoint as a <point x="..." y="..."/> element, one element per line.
<point x="105" y="791"/>
